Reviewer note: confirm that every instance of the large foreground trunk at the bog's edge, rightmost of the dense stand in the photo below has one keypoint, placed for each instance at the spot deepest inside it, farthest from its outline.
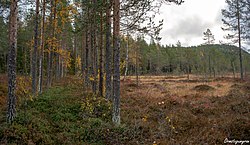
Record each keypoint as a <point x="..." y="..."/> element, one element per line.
<point x="116" y="100"/>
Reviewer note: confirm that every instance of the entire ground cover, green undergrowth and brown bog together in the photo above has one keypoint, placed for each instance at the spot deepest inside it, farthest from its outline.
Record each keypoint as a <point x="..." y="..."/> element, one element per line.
<point x="161" y="110"/>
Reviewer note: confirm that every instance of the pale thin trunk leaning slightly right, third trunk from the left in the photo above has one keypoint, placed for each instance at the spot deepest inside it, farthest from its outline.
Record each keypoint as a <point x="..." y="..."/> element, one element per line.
<point x="40" y="81"/>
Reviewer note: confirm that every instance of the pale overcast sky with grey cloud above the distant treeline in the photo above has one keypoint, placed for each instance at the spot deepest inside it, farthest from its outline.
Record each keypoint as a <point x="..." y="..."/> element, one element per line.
<point x="188" y="21"/>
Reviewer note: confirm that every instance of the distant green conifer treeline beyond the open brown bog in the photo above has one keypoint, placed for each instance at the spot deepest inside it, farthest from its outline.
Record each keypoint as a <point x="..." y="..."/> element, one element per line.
<point x="211" y="60"/>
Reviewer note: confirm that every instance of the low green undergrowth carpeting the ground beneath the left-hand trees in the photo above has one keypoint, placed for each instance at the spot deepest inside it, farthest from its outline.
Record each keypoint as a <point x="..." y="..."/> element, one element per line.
<point x="60" y="116"/>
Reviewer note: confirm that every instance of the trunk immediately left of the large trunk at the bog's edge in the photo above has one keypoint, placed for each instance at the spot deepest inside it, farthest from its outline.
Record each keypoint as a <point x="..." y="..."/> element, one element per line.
<point x="108" y="54"/>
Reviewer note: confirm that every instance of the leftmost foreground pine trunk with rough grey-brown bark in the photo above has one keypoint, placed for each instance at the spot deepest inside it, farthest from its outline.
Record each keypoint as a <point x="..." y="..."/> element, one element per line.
<point x="11" y="113"/>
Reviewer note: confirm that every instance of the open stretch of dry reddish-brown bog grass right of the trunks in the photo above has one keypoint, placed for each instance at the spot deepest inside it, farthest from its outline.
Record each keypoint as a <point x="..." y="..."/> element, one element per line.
<point x="174" y="112"/>
